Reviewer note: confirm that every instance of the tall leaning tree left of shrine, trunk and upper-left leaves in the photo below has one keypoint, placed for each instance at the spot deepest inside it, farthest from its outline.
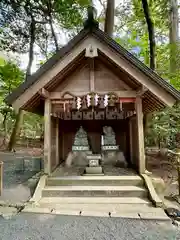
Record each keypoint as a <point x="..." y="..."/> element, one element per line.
<point x="22" y="27"/>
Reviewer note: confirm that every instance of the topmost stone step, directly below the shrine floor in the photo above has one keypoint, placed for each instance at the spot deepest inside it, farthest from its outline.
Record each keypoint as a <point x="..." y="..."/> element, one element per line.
<point x="95" y="180"/>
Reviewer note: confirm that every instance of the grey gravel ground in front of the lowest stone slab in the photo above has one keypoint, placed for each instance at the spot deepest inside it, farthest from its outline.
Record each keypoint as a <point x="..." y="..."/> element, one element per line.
<point x="26" y="226"/>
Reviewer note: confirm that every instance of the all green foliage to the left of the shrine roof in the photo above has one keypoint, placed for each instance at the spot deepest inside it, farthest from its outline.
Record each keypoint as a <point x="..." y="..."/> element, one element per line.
<point x="15" y="36"/>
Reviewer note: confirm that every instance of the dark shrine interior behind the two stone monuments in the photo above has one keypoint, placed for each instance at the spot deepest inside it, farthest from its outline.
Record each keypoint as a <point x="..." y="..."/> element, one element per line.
<point x="94" y="129"/>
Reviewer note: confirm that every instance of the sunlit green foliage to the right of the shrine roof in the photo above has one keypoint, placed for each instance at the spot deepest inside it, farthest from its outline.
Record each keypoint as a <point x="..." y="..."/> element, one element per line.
<point x="163" y="126"/>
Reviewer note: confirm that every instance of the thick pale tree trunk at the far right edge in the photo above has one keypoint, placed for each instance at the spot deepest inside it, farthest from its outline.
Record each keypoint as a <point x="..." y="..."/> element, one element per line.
<point x="173" y="35"/>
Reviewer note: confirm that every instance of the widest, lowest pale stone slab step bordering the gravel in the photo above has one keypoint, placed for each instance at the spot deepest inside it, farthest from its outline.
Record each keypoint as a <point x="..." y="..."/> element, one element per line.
<point x="136" y="211"/>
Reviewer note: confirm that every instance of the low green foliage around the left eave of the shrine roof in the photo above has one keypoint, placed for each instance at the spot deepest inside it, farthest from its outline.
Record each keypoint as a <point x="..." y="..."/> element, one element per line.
<point x="11" y="76"/>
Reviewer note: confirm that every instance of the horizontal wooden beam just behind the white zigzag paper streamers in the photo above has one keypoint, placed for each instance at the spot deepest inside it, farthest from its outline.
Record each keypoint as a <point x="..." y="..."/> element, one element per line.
<point x="121" y="94"/>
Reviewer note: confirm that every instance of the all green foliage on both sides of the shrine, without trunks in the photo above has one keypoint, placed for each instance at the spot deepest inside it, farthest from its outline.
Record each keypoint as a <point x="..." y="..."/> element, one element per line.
<point x="130" y="31"/>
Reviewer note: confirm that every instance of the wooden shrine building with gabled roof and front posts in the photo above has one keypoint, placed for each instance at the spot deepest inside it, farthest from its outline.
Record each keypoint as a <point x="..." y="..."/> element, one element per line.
<point x="93" y="82"/>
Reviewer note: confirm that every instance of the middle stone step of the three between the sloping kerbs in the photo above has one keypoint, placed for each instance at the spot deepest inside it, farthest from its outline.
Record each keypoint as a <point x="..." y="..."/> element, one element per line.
<point x="94" y="191"/>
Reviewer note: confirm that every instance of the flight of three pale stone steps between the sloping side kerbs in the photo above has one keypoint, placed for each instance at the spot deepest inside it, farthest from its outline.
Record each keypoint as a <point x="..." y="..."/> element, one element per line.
<point x="95" y="189"/>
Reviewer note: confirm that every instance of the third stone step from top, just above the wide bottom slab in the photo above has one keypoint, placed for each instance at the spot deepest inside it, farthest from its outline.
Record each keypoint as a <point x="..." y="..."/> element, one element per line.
<point x="95" y="200"/>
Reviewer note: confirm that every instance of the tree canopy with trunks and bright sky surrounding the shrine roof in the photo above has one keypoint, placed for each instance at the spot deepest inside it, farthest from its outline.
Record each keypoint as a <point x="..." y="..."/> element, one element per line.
<point x="36" y="29"/>
